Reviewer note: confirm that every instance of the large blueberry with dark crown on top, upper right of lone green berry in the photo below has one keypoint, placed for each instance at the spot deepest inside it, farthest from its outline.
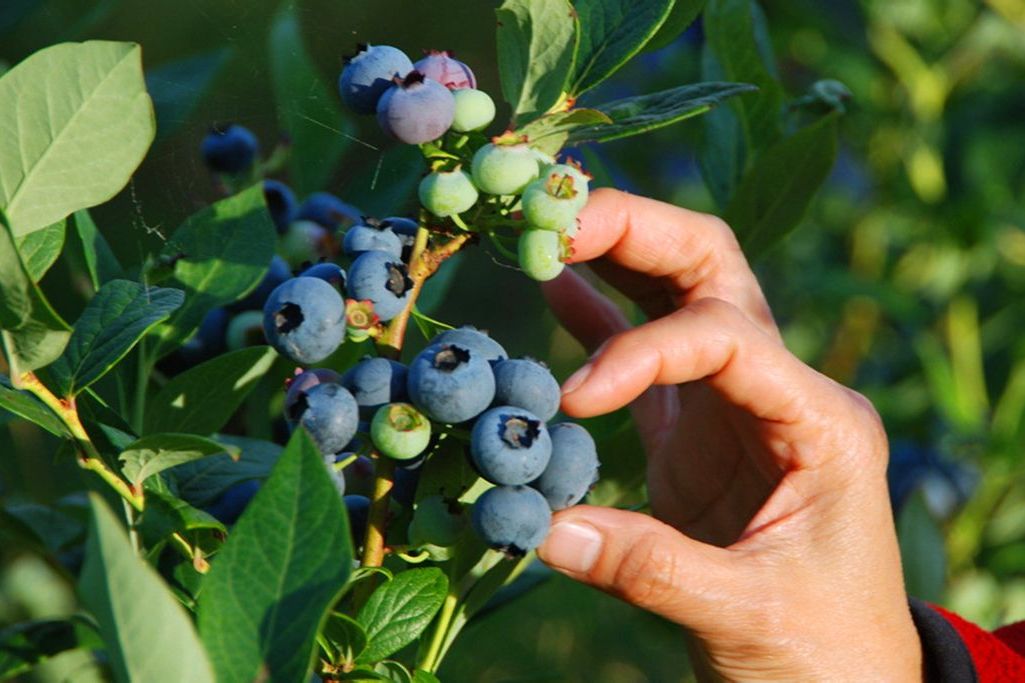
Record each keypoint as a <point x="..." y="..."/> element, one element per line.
<point x="452" y="384"/>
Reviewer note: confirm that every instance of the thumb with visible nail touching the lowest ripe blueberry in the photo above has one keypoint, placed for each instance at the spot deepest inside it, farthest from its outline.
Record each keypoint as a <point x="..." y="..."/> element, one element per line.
<point x="645" y="563"/>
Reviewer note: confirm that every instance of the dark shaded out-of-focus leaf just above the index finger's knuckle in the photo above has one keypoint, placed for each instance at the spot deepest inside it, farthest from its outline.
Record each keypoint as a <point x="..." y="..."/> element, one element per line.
<point x="775" y="193"/>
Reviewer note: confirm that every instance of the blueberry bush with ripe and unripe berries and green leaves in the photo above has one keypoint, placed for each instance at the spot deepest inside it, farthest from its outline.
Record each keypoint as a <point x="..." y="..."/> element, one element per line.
<point x="408" y="480"/>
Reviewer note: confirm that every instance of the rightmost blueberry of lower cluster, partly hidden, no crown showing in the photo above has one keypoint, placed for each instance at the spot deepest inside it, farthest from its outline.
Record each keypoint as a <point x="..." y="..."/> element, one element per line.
<point x="573" y="468"/>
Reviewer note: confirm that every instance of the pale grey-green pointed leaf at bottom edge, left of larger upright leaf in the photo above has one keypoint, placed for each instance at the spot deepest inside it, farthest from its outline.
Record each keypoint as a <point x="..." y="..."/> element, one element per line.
<point x="148" y="634"/>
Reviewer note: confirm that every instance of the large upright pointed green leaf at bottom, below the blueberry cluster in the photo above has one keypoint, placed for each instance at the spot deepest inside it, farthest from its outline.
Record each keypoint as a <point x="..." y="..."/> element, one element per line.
<point x="272" y="583"/>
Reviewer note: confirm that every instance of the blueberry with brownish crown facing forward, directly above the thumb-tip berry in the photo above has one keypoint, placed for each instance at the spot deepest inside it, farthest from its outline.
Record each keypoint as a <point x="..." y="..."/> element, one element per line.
<point x="510" y="447"/>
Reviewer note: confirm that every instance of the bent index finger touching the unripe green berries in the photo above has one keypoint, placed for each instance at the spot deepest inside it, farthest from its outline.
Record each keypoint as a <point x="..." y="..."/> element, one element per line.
<point x="695" y="256"/>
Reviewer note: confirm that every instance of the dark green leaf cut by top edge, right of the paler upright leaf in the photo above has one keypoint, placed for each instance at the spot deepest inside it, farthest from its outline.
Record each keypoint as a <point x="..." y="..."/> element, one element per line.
<point x="611" y="33"/>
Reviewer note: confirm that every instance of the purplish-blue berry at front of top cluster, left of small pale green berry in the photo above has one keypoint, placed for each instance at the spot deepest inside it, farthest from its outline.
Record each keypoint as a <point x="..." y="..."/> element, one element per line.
<point x="418" y="110"/>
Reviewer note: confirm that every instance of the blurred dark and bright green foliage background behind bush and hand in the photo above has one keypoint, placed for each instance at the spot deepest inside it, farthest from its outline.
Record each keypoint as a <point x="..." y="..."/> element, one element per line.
<point x="907" y="280"/>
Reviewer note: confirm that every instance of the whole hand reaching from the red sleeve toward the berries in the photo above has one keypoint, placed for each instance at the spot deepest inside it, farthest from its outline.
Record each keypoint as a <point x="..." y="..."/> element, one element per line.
<point x="773" y="542"/>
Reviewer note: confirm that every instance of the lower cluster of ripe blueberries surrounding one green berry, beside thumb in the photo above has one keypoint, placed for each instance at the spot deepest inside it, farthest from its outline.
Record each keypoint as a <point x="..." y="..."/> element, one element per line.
<point x="463" y="377"/>
